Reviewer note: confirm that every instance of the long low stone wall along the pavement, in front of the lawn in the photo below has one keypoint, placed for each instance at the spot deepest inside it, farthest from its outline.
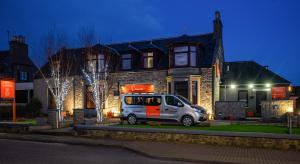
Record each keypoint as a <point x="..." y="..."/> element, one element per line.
<point x="195" y="137"/>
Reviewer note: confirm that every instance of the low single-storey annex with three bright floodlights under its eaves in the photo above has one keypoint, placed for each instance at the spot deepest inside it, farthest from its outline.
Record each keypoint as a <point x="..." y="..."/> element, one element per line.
<point x="249" y="89"/>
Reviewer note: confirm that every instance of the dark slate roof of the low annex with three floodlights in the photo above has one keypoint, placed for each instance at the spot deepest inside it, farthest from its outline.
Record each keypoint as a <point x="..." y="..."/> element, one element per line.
<point x="245" y="72"/>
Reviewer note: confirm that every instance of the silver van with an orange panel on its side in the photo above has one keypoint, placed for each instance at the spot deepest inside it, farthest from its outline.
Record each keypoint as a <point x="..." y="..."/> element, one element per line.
<point x="159" y="107"/>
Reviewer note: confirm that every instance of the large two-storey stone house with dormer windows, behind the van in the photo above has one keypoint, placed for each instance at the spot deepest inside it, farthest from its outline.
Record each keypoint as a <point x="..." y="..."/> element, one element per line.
<point x="189" y="65"/>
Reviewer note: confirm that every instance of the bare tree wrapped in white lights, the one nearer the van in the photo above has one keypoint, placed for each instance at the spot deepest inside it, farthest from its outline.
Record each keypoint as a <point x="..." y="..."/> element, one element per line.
<point x="98" y="74"/>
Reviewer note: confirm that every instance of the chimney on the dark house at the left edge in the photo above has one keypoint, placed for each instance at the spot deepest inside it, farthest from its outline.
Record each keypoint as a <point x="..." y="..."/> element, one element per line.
<point x="18" y="46"/>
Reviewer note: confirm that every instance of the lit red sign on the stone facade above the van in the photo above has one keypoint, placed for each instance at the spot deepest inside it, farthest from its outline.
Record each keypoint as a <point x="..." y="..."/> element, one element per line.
<point x="137" y="88"/>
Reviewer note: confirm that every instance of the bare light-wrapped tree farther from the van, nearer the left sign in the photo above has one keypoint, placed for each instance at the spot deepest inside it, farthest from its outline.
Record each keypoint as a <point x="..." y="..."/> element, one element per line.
<point x="57" y="71"/>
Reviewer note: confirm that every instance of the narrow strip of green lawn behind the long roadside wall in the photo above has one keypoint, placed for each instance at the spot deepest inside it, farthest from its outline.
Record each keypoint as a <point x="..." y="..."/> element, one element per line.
<point x="231" y="128"/>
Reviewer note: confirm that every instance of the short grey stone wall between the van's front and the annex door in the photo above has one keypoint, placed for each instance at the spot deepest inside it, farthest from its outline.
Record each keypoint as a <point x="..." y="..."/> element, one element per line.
<point x="230" y="110"/>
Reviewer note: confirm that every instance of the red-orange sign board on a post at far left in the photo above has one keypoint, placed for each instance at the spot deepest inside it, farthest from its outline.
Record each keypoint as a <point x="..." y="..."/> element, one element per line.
<point x="7" y="89"/>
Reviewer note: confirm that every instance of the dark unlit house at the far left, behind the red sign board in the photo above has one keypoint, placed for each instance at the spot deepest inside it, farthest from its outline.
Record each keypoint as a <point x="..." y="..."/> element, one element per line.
<point x="16" y="64"/>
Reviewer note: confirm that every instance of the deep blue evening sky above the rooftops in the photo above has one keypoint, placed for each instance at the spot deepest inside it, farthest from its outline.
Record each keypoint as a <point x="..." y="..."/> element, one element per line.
<point x="266" y="31"/>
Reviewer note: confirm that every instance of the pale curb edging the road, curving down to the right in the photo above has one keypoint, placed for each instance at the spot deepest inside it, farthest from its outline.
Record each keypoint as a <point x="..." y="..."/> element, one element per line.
<point x="121" y="145"/>
